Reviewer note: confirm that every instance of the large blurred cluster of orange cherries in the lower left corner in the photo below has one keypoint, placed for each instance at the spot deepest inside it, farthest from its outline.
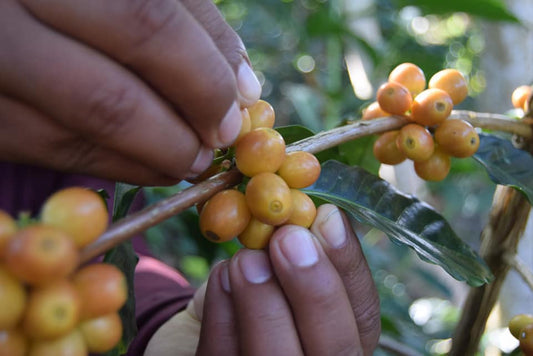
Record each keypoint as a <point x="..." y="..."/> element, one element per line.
<point x="50" y="305"/>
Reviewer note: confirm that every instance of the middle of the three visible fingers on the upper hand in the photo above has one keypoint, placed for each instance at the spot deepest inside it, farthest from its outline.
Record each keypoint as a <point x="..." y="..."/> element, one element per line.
<point x="161" y="41"/>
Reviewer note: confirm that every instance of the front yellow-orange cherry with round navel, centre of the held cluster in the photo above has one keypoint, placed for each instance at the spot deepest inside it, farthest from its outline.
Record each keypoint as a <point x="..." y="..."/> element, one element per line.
<point x="269" y="198"/>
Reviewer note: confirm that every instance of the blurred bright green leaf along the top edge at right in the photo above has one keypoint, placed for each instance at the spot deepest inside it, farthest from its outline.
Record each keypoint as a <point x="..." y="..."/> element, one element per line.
<point x="488" y="9"/>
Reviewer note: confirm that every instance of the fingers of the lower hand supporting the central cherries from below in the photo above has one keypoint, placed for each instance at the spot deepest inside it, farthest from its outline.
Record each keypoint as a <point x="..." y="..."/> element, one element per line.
<point x="311" y="295"/>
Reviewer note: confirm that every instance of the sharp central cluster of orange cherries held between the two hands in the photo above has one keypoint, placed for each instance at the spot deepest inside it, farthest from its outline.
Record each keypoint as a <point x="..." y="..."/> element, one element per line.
<point x="271" y="195"/>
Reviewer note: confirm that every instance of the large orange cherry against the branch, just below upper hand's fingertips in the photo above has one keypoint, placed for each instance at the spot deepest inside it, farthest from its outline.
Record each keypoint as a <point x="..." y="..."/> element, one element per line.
<point x="260" y="150"/>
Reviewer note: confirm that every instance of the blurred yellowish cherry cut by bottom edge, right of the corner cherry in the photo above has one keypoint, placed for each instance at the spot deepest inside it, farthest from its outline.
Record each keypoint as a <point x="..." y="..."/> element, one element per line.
<point x="71" y="344"/>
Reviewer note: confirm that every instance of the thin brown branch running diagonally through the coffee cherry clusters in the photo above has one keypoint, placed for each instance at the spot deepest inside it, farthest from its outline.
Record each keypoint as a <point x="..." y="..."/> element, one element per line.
<point x="173" y="205"/>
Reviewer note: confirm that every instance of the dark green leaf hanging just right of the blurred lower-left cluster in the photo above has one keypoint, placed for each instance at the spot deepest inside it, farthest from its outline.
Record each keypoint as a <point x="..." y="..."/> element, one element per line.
<point x="124" y="257"/>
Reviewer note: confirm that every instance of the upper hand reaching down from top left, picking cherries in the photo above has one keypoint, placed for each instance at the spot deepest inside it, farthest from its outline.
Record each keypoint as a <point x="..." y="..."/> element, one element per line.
<point x="131" y="90"/>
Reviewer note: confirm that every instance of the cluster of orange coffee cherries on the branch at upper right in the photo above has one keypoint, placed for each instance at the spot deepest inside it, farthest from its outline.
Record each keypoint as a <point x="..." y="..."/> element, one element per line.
<point x="429" y="138"/>
